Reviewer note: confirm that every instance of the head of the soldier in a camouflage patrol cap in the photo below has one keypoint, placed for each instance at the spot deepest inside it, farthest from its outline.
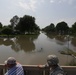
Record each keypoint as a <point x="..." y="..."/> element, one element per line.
<point x="52" y="60"/>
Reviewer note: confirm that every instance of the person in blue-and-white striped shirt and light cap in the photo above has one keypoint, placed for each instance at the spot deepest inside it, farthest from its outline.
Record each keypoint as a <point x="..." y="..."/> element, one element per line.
<point x="14" y="68"/>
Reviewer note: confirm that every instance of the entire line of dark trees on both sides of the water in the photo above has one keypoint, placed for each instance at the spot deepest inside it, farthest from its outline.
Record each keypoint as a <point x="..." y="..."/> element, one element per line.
<point x="27" y="25"/>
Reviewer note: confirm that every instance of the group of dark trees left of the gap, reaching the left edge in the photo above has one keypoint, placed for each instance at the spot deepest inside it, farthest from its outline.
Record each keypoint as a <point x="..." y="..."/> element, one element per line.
<point x="20" y="25"/>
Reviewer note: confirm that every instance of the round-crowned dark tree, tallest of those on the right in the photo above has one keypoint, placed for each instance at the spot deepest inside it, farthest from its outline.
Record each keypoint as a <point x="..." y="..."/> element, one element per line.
<point x="62" y="28"/>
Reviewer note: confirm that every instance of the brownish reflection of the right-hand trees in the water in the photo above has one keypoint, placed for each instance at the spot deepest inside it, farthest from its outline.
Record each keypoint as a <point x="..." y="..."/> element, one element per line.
<point x="63" y="39"/>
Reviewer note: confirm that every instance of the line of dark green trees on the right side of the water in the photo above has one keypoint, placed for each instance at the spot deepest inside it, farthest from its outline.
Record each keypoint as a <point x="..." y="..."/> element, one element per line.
<point x="61" y="28"/>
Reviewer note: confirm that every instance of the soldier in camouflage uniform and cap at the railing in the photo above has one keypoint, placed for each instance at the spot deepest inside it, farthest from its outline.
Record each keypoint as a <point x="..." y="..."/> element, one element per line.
<point x="53" y="64"/>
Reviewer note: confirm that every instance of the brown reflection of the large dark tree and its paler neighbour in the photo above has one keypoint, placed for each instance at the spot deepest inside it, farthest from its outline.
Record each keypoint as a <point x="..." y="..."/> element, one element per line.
<point x="24" y="43"/>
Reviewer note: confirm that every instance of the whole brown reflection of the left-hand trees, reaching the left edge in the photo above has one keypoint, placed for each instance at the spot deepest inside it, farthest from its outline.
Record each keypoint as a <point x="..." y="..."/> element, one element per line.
<point x="24" y="42"/>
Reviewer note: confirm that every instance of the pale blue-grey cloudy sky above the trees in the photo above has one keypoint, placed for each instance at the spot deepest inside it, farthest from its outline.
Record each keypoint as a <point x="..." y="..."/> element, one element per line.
<point x="44" y="11"/>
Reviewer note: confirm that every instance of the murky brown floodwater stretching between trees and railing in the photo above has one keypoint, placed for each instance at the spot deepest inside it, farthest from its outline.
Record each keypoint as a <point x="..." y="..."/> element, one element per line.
<point x="34" y="49"/>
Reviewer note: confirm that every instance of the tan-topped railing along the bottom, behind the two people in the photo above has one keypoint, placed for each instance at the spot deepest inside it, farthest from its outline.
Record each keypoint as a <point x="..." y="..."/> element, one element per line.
<point x="37" y="70"/>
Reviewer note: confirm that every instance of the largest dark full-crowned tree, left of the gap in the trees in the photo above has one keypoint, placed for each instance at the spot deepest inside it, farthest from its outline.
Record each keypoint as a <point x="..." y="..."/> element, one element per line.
<point x="27" y="24"/>
